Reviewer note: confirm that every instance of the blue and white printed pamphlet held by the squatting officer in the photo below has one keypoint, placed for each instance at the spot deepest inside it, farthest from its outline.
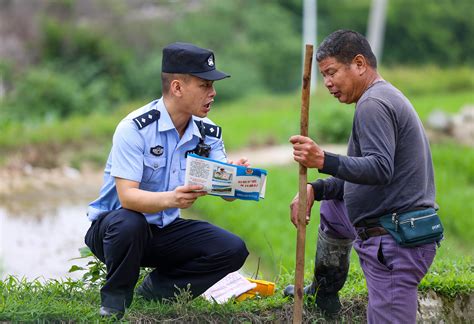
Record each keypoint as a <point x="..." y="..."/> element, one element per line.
<point x="225" y="180"/>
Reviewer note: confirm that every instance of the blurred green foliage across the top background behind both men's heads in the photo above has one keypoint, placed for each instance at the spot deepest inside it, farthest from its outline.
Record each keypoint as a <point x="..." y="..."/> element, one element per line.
<point x="77" y="57"/>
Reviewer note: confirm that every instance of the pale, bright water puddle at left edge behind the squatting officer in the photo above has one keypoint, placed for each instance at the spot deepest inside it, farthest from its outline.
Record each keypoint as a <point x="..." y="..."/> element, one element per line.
<point x="42" y="247"/>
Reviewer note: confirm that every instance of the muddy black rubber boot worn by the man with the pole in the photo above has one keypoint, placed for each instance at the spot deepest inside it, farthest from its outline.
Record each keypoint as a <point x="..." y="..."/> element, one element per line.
<point x="330" y="272"/>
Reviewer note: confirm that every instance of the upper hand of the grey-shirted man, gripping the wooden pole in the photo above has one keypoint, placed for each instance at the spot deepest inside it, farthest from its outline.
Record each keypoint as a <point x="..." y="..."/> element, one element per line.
<point x="307" y="152"/>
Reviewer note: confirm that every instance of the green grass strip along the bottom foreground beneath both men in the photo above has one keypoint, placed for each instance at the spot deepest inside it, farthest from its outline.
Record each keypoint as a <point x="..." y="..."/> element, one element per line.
<point x="71" y="301"/>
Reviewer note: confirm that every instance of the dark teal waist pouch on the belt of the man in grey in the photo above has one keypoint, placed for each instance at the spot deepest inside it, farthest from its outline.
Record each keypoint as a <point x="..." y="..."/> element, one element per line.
<point x="414" y="228"/>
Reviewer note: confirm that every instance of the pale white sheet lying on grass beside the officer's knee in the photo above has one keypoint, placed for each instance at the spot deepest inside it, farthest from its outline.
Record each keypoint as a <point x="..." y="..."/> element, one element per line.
<point x="232" y="285"/>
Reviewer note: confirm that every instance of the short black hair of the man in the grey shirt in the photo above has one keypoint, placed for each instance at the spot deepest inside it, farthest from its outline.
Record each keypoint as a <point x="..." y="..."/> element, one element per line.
<point x="344" y="45"/>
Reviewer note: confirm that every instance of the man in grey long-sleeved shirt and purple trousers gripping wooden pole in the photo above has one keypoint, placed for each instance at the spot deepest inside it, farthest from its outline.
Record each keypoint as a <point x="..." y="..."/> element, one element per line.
<point x="388" y="169"/>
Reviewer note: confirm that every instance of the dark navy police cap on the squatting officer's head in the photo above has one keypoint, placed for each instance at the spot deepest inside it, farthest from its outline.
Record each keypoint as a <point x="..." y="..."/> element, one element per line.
<point x="187" y="58"/>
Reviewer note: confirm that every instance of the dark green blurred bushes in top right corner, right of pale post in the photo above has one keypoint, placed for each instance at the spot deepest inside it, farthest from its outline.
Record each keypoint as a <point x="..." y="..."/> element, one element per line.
<point x="436" y="32"/>
